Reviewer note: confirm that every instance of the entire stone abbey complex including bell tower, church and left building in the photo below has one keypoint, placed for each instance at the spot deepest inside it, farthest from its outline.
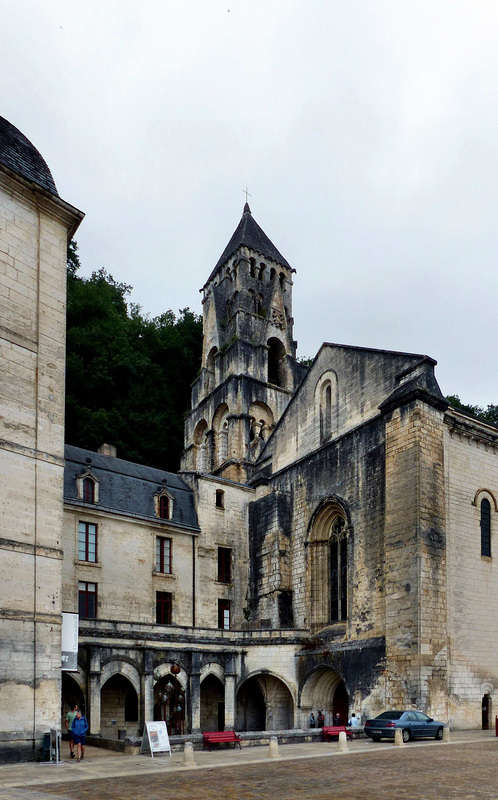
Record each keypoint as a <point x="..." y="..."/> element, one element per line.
<point x="329" y="542"/>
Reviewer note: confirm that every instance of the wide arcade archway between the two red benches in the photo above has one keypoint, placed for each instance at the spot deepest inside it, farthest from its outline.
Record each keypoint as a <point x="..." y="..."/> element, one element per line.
<point x="264" y="703"/>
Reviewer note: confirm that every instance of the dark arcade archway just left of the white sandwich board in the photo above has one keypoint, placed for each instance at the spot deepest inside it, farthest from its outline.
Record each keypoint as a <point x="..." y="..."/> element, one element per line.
<point x="118" y="708"/>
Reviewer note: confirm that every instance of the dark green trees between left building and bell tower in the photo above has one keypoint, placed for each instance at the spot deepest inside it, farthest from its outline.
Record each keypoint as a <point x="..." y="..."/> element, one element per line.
<point x="127" y="376"/>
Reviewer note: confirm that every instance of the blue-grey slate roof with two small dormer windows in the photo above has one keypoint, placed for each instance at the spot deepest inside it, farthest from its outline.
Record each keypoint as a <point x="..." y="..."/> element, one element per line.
<point x="128" y="488"/>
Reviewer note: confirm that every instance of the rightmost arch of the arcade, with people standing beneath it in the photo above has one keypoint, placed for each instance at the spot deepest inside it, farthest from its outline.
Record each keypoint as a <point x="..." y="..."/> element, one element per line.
<point x="324" y="690"/>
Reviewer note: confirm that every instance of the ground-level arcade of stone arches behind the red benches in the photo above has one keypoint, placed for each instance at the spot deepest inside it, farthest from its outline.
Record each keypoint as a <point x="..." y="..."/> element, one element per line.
<point x="118" y="707"/>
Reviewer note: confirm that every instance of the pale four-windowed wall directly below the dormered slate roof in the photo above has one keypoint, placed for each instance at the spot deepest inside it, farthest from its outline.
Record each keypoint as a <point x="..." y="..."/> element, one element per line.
<point x="125" y="571"/>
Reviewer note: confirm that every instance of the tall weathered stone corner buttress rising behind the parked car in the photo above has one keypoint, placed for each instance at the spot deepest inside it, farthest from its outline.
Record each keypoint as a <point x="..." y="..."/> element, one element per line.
<point x="415" y="560"/>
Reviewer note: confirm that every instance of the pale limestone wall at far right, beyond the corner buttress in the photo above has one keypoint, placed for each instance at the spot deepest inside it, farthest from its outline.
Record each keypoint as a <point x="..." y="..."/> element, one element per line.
<point x="471" y="465"/>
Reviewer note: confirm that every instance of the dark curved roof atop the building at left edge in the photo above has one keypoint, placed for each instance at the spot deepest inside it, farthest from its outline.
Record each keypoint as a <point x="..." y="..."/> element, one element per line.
<point x="17" y="153"/>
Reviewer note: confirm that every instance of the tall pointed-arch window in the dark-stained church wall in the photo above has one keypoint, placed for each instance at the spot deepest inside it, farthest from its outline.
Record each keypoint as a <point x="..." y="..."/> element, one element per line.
<point x="328" y="559"/>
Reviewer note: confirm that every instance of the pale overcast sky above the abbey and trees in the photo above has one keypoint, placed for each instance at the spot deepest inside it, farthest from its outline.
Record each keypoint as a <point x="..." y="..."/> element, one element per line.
<point x="366" y="133"/>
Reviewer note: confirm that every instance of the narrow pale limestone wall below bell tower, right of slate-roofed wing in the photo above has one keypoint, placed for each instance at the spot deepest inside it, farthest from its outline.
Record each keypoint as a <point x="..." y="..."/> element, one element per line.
<point x="221" y="527"/>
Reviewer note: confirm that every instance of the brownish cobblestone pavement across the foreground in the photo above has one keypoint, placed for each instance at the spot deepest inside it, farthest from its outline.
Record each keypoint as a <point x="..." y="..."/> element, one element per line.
<point x="467" y="771"/>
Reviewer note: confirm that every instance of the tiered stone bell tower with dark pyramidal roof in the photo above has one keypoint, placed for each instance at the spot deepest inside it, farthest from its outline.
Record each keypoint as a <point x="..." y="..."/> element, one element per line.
<point x="249" y="371"/>
